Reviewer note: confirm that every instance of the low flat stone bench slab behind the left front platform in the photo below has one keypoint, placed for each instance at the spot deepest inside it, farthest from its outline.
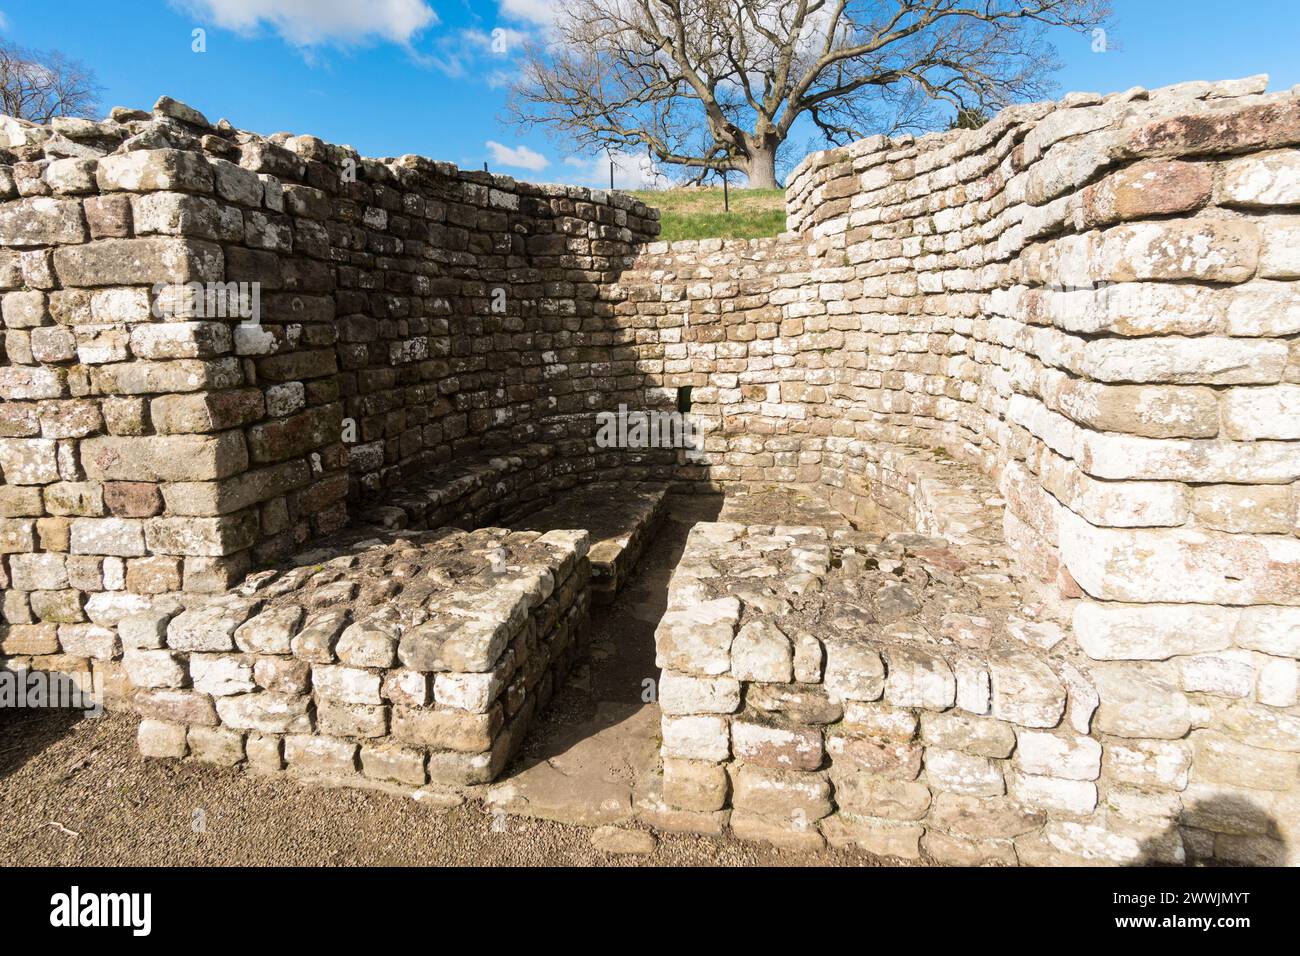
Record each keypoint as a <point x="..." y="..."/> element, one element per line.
<point x="619" y="516"/>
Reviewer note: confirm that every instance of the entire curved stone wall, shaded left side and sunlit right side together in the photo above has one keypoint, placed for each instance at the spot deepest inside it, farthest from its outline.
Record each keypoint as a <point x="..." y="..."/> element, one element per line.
<point x="1091" y="304"/>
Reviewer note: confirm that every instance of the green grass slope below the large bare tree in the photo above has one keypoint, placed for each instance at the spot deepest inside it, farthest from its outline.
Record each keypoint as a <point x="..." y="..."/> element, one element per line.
<point x="697" y="214"/>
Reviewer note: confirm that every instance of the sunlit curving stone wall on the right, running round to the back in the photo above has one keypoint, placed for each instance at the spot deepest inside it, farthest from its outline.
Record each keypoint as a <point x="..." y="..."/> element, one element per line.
<point x="1094" y="304"/>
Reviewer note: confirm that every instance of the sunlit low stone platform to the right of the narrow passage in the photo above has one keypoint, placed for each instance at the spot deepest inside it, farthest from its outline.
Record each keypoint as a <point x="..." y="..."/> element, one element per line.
<point x="892" y="698"/>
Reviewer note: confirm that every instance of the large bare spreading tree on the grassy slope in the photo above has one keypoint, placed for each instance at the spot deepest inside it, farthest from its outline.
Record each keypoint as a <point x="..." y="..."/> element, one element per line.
<point x="718" y="85"/>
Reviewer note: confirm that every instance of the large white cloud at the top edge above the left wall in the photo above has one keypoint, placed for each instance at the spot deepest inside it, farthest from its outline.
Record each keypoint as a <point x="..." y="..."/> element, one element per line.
<point x="320" y="23"/>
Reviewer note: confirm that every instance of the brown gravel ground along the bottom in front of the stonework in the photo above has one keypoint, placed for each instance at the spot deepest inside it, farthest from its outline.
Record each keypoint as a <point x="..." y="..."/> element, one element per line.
<point x="76" y="793"/>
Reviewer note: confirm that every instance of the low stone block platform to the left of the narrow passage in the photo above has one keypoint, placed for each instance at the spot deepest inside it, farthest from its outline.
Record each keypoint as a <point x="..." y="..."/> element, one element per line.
<point x="400" y="660"/>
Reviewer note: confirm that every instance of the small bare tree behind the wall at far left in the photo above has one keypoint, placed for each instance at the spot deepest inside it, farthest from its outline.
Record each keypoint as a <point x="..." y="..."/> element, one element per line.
<point x="40" y="86"/>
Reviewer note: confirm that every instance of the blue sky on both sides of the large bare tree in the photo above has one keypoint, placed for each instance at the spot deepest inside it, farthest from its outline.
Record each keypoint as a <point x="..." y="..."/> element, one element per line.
<point x="418" y="76"/>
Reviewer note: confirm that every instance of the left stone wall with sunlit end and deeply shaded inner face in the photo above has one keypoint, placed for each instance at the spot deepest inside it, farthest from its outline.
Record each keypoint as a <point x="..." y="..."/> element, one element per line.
<point x="158" y="439"/>
